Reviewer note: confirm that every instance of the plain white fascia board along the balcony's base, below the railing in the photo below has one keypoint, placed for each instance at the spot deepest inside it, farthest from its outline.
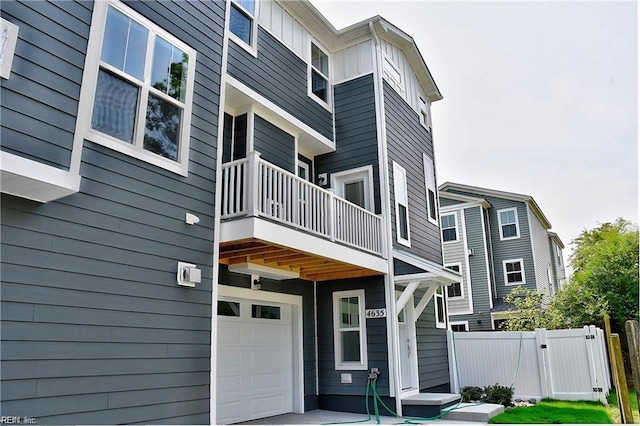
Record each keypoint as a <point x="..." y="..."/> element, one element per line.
<point x="253" y="227"/>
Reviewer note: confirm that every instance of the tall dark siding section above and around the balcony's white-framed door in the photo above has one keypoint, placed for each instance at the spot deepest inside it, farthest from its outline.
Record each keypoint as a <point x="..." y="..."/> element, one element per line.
<point x="356" y="133"/>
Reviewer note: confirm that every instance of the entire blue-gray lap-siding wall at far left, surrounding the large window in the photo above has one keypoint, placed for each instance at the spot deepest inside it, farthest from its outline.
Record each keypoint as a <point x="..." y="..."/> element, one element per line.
<point x="95" y="328"/>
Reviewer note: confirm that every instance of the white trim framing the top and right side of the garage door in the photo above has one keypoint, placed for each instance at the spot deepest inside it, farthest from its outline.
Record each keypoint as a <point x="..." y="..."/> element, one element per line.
<point x="296" y="303"/>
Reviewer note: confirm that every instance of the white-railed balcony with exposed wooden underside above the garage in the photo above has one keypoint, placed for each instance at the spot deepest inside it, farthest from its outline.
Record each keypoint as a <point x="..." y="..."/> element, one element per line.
<point x="274" y="219"/>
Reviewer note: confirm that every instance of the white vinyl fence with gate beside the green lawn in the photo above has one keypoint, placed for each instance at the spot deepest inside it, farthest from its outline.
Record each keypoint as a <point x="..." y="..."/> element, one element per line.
<point x="557" y="364"/>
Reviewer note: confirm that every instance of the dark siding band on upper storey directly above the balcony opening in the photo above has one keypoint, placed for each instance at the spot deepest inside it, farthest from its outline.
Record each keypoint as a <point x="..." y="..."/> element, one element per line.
<point x="280" y="76"/>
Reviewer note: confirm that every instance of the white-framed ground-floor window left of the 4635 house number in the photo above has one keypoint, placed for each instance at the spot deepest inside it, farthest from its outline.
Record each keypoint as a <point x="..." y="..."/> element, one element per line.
<point x="350" y="334"/>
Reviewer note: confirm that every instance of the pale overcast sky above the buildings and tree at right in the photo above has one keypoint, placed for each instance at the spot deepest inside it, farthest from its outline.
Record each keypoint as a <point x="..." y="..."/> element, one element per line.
<point x="539" y="98"/>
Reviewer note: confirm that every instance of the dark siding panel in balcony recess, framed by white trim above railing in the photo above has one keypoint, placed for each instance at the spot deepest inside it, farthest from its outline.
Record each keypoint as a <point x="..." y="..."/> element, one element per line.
<point x="274" y="144"/>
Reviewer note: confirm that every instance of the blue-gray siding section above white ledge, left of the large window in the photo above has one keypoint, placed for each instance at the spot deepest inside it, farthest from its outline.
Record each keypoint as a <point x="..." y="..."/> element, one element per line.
<point x="40" y="99"/>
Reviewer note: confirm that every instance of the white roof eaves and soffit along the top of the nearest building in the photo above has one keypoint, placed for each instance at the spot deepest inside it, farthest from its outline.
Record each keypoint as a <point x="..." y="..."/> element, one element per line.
<point x="333" y="39"/>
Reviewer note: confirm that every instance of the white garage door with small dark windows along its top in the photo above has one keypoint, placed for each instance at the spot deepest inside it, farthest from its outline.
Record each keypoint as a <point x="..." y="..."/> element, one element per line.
<point x="255" y="360"/>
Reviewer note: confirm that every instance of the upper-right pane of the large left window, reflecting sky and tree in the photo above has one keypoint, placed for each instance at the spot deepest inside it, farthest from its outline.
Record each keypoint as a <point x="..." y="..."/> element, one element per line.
<point x="169" y="72"/>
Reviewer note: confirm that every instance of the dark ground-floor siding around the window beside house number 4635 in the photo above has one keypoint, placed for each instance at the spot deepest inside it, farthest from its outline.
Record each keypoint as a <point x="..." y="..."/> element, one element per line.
<point x="377" y="343"/>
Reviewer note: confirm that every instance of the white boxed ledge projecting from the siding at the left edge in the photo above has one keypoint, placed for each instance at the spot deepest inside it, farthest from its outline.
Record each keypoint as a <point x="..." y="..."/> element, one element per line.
<point x="34" y="180"/>
